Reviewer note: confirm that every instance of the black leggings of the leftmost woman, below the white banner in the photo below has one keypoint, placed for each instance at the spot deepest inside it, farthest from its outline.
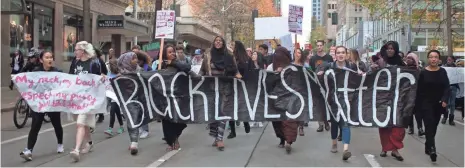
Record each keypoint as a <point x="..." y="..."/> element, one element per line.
<point x="37" y="119"/>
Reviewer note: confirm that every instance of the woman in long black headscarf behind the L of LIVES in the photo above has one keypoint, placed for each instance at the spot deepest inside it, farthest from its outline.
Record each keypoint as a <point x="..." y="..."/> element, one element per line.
<point x="219" y="62"/>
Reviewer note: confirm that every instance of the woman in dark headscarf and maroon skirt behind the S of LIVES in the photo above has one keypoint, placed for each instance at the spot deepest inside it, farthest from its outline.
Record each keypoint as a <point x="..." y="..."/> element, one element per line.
<point x="286" y="130"/>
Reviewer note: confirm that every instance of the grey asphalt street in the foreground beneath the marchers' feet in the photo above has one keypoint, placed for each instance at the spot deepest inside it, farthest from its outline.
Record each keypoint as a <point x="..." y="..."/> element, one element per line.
<point x="256" y="149"/>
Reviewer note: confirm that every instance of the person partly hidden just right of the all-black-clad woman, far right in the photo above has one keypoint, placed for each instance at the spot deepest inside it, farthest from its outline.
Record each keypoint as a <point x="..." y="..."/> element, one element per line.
<point x="454" y="88"/>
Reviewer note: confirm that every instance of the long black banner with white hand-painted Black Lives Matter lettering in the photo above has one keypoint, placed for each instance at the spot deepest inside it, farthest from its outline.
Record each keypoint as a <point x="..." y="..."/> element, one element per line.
<point x="381" y="99"/>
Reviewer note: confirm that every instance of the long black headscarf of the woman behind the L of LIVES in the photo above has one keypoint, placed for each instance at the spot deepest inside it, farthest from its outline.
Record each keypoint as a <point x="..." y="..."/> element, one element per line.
<point x="221" y="58"/>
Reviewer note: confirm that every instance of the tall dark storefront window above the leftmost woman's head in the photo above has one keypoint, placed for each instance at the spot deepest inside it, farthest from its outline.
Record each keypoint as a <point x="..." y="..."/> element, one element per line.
<point x="42" y="28"/>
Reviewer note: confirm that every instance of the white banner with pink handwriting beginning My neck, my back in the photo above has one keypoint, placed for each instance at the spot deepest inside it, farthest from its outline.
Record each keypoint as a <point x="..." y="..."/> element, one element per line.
<point x="61" y="92"/>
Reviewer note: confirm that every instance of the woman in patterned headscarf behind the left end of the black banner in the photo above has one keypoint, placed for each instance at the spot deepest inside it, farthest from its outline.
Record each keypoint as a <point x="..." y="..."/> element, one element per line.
<point x="128" y="63"/>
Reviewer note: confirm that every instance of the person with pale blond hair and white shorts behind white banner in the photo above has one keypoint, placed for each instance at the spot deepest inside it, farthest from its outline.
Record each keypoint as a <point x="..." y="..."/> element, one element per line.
<point x="85" y="63"/>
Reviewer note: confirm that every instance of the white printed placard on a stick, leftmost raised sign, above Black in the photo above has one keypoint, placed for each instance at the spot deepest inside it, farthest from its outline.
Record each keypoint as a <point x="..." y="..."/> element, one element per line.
<point x="165" y="24"/>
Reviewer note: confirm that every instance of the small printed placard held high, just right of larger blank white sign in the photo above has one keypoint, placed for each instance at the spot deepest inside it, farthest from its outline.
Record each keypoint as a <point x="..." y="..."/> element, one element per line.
<point x="295" y="19"/>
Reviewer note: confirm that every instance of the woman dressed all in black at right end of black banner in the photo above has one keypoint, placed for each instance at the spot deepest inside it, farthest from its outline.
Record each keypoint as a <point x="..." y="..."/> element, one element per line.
<point x="432" y="96"/>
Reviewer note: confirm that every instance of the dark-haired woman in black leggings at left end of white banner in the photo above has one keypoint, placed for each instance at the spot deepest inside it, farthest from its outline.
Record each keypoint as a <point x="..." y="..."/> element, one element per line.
<point x="46" y="58"/>
